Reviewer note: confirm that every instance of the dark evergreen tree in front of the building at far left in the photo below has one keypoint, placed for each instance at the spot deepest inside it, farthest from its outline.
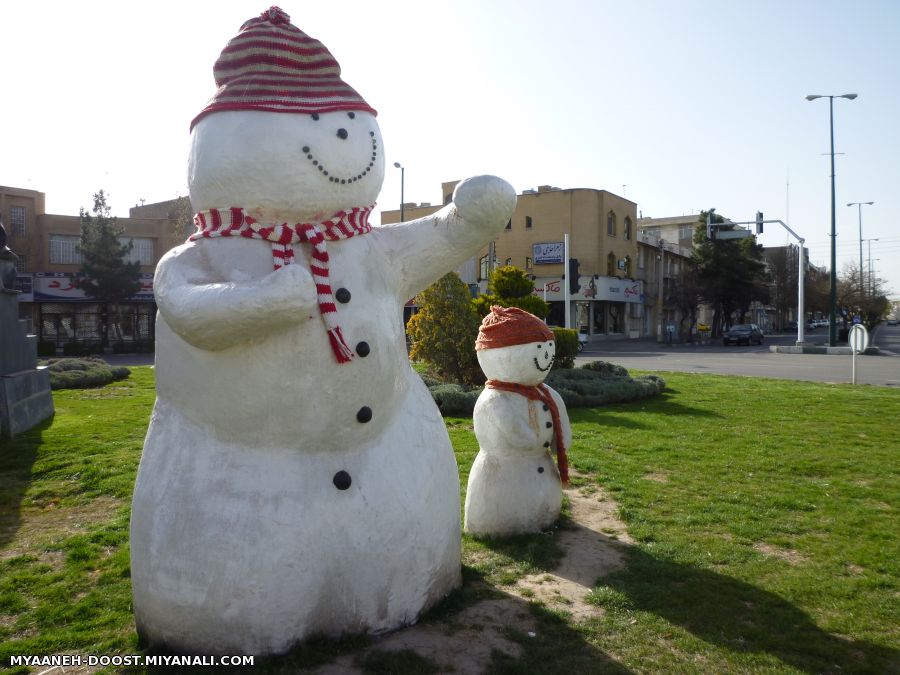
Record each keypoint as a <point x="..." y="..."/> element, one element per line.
<point x="105" y="274"/>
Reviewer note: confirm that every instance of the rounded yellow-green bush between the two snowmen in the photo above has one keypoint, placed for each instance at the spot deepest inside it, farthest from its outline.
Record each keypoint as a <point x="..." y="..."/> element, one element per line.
<point x="444" y="330"/>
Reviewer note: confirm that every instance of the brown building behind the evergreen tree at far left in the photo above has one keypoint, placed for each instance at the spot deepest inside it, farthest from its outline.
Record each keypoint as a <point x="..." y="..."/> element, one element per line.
<point x="49" y="261"/>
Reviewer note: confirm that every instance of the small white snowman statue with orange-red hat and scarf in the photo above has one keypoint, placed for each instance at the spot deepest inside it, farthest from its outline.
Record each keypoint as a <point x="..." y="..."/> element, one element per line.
<point x="514" y="486"/>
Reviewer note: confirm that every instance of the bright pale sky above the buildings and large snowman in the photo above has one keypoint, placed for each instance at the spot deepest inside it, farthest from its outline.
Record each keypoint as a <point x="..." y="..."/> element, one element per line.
<point x="688" y="105"/>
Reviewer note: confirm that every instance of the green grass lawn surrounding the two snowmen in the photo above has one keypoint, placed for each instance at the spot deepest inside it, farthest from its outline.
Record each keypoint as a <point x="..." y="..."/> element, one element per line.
<point x="764" y="515"/>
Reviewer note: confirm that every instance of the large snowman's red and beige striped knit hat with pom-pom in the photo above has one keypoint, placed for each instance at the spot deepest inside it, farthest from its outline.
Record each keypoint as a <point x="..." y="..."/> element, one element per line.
<point x="273" y="66"/>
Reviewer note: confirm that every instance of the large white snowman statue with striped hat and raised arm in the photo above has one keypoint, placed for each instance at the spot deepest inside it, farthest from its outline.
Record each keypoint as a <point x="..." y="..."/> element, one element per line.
<point x="297" y="478"/>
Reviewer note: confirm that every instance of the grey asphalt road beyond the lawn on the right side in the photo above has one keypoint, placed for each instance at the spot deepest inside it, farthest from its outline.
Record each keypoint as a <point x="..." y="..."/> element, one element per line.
<point x="757" y="361"/>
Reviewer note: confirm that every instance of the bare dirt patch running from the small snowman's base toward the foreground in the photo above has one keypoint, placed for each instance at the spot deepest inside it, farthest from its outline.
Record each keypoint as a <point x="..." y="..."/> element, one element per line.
<point x="594" y="546"/>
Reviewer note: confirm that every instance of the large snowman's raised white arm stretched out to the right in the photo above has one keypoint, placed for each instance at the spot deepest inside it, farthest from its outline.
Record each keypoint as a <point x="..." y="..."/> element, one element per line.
<point x="425" y="249"/>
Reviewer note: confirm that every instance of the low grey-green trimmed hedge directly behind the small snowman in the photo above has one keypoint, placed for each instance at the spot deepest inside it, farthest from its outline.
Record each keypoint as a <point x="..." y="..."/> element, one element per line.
<point x="594" y="384"/>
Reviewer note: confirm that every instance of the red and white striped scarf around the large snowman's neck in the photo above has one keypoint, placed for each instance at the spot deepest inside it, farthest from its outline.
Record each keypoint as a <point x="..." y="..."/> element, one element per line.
<point x="234" y="222"/>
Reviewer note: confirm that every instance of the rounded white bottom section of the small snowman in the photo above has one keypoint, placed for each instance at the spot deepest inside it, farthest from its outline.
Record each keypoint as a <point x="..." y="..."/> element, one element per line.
<point x="512" y="494"/>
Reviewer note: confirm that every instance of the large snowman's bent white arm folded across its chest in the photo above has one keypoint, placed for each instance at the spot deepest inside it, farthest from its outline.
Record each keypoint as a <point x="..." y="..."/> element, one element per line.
<point x="216" y="315"/>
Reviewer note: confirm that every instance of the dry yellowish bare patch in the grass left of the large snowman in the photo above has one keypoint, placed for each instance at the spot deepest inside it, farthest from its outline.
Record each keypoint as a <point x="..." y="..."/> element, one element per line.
<point x="36" y="527"/>
